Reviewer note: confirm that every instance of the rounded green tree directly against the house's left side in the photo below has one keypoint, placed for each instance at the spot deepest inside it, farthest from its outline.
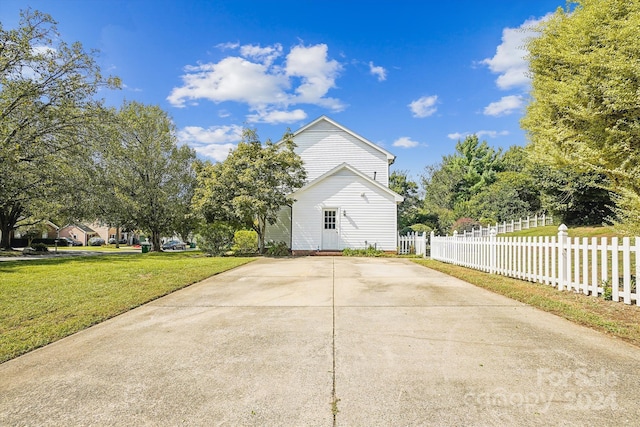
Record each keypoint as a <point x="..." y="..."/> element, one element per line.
<point x="253" y="183"/>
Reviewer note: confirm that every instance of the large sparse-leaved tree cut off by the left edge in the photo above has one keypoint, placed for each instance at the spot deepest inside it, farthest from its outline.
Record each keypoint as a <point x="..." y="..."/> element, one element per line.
<point x="47" y="113"/>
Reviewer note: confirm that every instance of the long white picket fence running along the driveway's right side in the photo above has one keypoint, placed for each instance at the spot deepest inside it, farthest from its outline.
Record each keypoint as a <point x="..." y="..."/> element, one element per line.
<point x="582" y="265"/>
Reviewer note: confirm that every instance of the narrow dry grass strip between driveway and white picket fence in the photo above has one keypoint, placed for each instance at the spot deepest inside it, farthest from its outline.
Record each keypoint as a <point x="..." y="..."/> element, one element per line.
<point x="614" y="318"/>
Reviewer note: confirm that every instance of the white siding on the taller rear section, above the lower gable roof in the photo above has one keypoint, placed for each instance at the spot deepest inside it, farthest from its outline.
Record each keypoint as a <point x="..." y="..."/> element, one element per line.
<point x="323" y="146"/>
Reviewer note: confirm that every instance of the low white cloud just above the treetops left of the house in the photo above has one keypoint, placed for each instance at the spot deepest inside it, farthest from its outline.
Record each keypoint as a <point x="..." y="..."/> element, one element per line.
<point x="214" y="142"/>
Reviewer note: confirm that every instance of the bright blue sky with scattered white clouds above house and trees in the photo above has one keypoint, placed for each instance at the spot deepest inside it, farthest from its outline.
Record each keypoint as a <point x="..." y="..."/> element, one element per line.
<point x="410" y="76"/>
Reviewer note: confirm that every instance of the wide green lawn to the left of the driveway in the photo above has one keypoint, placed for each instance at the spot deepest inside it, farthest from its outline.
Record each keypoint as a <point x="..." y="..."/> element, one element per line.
<point x="44" y="300"/>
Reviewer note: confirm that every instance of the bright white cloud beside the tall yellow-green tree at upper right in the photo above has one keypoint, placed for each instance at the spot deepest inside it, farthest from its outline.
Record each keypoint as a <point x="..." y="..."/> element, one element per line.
<point x="509" y="61"/>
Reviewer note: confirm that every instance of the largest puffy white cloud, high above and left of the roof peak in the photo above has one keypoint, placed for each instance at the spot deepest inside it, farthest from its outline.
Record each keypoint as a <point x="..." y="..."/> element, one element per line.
<point x="260" y="78"/>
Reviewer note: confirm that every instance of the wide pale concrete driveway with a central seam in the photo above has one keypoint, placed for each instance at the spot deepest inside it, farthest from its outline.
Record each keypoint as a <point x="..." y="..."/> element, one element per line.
<point x="325" y="341"/>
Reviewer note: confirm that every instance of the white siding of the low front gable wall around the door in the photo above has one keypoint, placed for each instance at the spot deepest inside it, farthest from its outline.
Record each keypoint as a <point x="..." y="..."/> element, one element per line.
<point x="366" y="214"/>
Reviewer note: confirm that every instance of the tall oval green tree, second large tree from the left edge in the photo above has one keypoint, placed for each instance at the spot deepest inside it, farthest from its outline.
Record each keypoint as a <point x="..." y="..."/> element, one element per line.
<point x="150" y="178"/>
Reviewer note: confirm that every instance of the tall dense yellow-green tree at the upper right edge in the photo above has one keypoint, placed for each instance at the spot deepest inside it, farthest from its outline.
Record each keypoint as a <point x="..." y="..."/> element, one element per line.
<point x="585" y="109"/>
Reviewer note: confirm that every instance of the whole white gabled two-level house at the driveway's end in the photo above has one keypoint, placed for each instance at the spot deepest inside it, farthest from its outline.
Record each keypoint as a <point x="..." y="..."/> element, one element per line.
<point x="346" y="201"/>
